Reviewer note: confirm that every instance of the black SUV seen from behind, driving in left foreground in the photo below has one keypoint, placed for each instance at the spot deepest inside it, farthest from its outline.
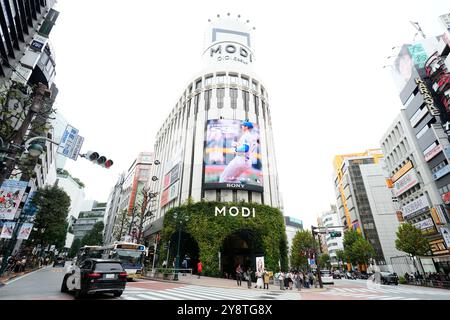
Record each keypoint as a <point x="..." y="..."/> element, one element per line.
<point x="95" y="276"/>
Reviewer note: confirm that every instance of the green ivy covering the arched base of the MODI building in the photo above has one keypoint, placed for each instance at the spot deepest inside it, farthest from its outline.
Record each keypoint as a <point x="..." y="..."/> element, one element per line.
<point x="267" y="229"/>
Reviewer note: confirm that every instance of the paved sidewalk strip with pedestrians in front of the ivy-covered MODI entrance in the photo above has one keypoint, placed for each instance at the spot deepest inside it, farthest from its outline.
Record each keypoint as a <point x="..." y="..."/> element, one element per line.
<point x="227" y="283"/>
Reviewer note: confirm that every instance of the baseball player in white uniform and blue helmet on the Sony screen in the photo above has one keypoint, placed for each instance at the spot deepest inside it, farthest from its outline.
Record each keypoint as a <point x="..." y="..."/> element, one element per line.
<point x="242" y="161"/>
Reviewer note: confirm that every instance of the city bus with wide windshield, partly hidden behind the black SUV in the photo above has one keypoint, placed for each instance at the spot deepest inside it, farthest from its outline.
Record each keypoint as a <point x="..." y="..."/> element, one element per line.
<point x="131" y="255"/>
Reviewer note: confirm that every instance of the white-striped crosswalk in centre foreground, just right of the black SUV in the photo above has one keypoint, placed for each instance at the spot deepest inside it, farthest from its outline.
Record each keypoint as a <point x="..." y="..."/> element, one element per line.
<point x="193" y="292"/>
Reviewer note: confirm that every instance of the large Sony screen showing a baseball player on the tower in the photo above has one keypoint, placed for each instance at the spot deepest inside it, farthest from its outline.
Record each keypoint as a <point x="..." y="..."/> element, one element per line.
<point x="232" y="158"/>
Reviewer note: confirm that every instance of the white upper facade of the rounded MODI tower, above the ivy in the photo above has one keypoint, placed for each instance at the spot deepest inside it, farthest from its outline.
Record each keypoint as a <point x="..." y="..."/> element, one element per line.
<point x="195" y="143"/>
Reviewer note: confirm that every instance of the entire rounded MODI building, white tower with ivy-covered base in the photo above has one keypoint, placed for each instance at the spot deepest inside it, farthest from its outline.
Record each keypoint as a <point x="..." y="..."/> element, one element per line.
<point x="215" y="190"/>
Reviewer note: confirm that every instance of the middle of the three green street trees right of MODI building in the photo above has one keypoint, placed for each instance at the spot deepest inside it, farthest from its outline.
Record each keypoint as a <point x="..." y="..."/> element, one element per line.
<point x="357" y="250"/>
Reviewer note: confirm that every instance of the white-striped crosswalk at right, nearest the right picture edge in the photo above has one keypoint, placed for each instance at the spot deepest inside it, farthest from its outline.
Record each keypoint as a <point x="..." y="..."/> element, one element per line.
<point x="383" y="293"/>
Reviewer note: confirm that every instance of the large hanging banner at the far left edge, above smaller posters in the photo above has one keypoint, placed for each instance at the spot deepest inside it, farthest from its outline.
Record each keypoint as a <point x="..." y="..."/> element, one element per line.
<point x="11" y="193"/>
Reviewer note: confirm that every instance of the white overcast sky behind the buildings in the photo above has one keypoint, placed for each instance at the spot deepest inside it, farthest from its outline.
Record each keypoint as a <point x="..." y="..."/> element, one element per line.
<point x="122" y="65"/>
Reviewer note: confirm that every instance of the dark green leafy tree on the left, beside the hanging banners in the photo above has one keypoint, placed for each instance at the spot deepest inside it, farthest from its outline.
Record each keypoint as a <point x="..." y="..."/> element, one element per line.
<point x="53" y="205"/>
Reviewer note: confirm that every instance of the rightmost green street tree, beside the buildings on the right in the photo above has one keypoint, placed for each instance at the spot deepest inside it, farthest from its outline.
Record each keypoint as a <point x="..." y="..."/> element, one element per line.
<point x="411" y="240"/>
